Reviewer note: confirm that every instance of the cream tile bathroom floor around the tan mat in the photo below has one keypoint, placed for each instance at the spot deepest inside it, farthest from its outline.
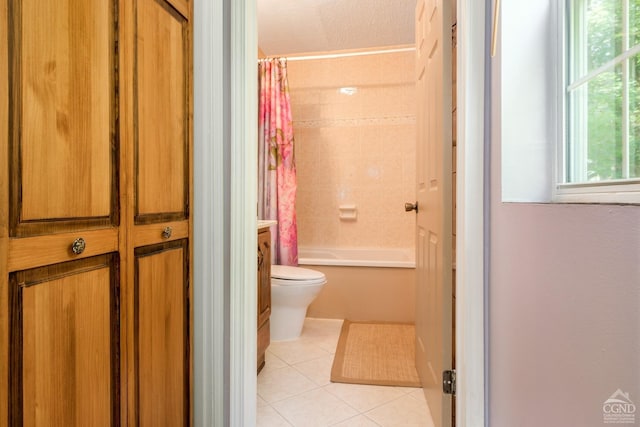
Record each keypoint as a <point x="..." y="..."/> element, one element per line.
<point x="294" y="388"/>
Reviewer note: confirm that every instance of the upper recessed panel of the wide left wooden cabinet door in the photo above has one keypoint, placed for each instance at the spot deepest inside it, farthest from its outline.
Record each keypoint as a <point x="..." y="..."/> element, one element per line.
<point x="62" y="97"/>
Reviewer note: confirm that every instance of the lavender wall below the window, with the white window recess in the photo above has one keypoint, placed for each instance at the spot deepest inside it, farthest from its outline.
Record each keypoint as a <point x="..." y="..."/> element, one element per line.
<point x="564" y="288"/>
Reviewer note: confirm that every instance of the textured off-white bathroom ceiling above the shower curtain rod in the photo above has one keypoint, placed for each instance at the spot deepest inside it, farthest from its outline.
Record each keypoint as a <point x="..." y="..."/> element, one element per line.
<point x="287" y="27"/>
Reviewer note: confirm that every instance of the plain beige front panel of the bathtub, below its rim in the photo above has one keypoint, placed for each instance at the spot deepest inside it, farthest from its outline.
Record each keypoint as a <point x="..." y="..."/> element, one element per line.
<point x="365" y="293"/>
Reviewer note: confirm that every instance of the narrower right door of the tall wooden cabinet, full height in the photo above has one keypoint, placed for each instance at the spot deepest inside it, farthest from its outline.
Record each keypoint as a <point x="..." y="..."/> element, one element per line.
<point x="160" y="218"/>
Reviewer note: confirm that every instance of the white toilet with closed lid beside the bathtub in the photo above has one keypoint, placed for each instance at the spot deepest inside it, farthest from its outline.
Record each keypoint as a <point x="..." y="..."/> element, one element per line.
<point x="292" y="290"/>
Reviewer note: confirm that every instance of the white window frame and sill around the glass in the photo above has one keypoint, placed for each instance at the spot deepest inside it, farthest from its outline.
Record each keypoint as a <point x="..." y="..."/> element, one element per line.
<point x="623" y="191"/>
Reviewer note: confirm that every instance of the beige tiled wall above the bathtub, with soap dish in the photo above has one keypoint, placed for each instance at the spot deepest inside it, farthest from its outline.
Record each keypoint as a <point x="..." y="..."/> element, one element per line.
<point x="356" y="149"/>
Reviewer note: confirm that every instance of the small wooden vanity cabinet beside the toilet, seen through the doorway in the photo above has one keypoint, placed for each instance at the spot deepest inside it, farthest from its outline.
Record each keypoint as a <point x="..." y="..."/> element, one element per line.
<point x="264" y="293"/>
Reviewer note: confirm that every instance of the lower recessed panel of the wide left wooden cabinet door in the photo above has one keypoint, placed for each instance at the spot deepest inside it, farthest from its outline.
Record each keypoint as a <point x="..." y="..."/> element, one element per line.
<point x="64" y="344"/>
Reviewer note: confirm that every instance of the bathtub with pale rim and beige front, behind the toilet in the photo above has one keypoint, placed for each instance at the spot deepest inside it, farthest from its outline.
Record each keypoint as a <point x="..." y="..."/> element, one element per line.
<point x="363" y="284"/>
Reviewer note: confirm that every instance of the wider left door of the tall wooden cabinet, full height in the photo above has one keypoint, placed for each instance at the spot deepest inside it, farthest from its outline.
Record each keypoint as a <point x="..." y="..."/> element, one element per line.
<point x="59" y="182"/>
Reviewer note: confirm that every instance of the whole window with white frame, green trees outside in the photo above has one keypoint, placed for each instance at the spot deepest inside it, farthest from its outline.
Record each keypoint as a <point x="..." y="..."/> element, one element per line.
<point x="600" y="157"/>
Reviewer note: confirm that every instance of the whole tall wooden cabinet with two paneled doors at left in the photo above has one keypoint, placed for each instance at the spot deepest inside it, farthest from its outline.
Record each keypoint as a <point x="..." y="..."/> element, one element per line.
<point x="95" y="222"/>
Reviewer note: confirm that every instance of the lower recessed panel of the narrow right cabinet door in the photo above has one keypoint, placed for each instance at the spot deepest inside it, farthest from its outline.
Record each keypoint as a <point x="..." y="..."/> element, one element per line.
<point x="162" y="334"/>
